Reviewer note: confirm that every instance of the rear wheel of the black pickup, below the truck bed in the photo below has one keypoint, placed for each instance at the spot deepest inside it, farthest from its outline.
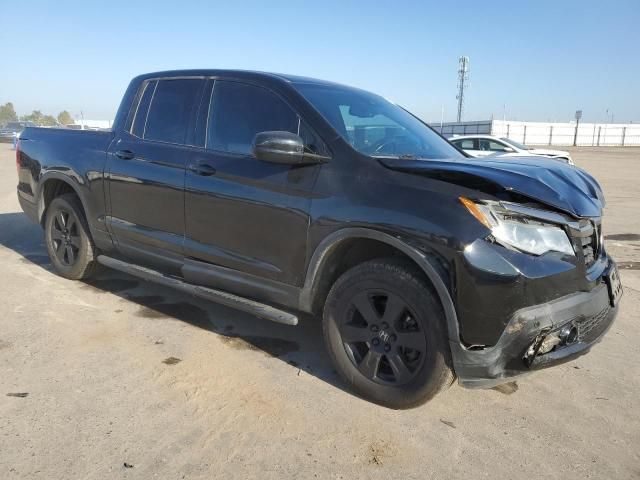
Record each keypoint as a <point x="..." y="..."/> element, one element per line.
<point x="68" y="239"/>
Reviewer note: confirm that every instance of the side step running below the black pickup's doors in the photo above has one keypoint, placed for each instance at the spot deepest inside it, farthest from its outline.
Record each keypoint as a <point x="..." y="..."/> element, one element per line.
<point x="250" y="306"/>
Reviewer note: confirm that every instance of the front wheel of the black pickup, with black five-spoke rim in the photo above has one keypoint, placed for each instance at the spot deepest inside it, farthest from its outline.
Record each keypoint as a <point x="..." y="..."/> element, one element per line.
<point x="386" y="334"/>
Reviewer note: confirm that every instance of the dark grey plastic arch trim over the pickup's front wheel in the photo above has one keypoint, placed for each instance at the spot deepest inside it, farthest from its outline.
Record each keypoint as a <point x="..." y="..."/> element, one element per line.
<point x="322" y="253"/>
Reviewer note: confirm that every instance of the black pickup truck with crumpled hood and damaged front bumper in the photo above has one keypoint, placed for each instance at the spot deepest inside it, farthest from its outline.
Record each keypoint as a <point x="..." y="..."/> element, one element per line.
<point x="278" y="194"/>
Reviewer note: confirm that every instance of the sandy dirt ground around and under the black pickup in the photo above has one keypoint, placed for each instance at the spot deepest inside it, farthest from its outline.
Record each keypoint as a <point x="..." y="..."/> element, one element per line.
<point x="129" y="380"/>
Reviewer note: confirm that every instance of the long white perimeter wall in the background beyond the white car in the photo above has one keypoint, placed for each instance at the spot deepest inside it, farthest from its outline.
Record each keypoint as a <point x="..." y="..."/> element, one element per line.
<point x="547" y="133"/>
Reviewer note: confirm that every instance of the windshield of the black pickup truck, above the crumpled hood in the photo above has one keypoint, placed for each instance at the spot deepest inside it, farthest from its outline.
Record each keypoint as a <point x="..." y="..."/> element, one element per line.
<point x="375" y="126"/>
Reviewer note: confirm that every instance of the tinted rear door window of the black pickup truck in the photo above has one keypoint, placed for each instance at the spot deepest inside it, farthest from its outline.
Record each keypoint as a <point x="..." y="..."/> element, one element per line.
<point x="171" y="113"/>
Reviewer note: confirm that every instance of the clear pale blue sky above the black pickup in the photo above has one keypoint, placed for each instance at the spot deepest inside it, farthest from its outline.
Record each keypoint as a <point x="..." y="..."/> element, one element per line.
<point x="529" y="60"/>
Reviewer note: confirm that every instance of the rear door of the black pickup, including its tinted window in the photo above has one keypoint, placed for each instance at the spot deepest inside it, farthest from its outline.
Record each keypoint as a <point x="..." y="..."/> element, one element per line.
<point x="146" y="169"/>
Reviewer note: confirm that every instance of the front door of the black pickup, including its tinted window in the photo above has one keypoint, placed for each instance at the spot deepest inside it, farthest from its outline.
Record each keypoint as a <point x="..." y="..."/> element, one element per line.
<point x="243" y="214"/>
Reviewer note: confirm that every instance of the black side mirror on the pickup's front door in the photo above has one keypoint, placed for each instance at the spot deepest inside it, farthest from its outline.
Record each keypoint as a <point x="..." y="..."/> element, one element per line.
<point x="282" y="147"/>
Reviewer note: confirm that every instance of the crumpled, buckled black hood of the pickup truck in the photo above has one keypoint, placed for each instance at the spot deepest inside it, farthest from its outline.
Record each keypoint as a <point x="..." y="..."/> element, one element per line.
<point x="548" y="181"/>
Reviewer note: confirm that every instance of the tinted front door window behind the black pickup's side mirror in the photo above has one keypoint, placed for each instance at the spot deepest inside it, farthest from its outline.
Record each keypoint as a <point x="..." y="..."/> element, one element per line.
<point x="239" y="111"/>
